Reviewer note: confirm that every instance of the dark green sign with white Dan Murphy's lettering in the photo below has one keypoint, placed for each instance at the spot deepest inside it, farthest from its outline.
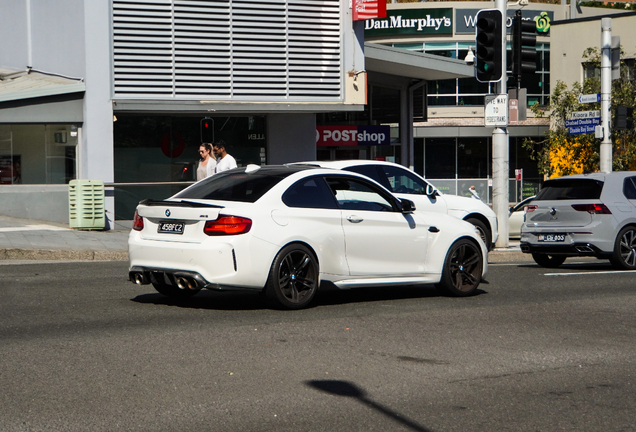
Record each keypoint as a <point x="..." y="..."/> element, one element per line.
<point x="419" y="21"/>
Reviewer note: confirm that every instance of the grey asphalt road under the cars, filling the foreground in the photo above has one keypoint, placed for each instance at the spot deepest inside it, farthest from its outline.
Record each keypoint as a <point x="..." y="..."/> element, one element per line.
<point x="83" y="349"/>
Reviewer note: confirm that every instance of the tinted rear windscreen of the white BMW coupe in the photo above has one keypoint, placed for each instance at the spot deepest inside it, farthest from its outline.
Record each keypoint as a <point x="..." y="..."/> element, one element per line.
<point x="236" y="185"/>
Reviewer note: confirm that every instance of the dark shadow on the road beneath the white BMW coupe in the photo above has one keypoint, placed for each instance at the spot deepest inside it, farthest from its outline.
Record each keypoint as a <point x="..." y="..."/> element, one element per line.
<point x="328" y="295"/>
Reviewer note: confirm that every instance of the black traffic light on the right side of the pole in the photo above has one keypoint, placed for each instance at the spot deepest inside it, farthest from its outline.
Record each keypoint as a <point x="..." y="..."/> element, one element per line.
<point x="524" y="51"/>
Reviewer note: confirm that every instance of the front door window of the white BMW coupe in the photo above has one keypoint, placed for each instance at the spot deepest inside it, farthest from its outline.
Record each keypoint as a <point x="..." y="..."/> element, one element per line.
<point x="353" y="194"/>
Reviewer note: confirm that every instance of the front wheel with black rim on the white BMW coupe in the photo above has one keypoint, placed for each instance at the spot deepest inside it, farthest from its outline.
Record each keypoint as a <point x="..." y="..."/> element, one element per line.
<point x="462" y="270"/>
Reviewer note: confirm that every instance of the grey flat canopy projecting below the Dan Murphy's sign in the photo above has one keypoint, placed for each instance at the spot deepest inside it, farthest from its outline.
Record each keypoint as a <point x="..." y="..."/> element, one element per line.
<point x="410" y="64"/>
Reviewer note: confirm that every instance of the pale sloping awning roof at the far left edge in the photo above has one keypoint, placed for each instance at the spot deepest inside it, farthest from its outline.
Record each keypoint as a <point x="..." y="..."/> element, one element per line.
<point x="31" y="84"/>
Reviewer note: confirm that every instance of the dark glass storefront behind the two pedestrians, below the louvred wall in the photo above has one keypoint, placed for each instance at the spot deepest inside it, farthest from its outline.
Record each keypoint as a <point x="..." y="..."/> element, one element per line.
<point x="150" y="149"/>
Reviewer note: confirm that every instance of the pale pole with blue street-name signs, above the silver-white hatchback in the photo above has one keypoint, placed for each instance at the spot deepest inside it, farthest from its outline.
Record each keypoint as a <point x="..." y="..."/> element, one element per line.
<point x="606" y="94"/>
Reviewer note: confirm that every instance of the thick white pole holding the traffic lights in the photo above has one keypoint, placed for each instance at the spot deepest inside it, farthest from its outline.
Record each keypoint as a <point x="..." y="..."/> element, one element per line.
<point x="500" y="150"/>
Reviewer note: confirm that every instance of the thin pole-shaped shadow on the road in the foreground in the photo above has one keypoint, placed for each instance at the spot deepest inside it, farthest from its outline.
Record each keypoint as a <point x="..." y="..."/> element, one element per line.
<point x="340" y="388"/>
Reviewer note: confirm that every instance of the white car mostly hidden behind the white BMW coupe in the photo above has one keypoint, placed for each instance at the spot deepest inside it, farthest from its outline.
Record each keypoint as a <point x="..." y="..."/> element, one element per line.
<point x="404" y="183"/>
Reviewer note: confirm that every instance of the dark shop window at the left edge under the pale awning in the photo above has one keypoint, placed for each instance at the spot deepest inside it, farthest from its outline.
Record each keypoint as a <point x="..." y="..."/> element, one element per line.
<point x="38" y="153"/>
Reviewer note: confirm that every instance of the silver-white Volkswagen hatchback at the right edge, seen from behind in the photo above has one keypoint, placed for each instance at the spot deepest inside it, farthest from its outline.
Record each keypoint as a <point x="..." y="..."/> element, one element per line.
<point x="583" y="215"/>
